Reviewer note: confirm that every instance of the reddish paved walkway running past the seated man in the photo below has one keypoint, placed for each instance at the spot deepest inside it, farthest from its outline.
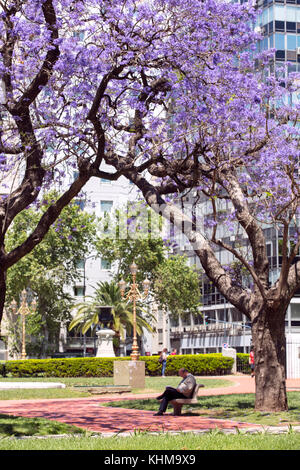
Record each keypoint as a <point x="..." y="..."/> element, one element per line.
<point x="86" y="412"/>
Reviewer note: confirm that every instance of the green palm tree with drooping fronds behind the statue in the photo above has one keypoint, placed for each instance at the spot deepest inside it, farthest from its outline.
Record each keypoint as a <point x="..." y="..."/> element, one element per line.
<point x="108" y="293"/>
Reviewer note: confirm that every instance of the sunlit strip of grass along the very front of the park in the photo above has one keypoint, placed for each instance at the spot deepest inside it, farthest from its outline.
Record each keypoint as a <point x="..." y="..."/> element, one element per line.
<point x="213" y="440"/>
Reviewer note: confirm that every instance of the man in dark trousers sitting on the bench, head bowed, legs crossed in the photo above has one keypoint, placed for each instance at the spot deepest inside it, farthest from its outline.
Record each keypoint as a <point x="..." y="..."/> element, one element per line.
<point x="184" y="390"/>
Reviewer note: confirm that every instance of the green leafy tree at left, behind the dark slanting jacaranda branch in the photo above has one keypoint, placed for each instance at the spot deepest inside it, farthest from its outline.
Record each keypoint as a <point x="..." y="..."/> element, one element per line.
<point x="45" y="272"/>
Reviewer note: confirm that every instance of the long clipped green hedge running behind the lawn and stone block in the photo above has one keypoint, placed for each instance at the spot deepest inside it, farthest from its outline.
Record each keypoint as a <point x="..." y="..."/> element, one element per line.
<point x="197" y="364"/>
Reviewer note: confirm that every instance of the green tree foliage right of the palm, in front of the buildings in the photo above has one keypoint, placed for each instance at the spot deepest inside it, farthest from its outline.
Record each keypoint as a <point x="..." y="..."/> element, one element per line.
<point x="135" y="235"/>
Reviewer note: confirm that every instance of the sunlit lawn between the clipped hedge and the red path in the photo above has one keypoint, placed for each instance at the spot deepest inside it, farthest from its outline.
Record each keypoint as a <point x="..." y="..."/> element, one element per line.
<point x="153" y="385"/>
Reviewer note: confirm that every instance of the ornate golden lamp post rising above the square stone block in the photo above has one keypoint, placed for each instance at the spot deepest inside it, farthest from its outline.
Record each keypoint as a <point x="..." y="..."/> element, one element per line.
<point x="134" y="294"/>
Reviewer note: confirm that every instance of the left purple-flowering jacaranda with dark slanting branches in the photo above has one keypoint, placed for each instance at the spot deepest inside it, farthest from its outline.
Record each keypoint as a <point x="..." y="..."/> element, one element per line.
<point x="69" y="72"/>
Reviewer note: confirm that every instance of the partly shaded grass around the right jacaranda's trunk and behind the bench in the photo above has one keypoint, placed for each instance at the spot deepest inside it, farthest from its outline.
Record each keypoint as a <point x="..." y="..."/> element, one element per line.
<point x="237" y="407"/>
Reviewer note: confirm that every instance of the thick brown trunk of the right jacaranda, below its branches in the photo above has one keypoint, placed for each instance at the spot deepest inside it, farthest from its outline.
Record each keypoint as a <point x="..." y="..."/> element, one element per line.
<point x="268" y="336"/>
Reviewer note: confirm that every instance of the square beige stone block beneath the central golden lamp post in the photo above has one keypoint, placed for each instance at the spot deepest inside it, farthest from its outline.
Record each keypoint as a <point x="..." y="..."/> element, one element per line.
<point x="130" y="373"/>
